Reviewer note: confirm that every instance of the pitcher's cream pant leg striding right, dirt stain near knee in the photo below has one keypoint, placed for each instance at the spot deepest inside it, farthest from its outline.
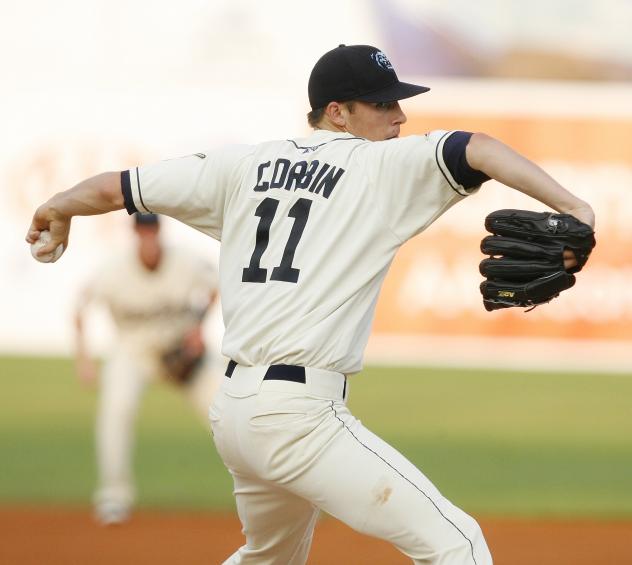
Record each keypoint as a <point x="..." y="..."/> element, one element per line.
<point x="316" y="450"/>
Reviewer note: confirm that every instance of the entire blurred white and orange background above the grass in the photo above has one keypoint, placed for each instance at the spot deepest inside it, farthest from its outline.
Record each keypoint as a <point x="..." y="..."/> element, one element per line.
<point x="98" y="85"/>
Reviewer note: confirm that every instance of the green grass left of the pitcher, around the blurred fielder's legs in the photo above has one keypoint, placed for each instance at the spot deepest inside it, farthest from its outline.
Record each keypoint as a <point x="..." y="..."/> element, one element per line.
<point x="47" y="449"/>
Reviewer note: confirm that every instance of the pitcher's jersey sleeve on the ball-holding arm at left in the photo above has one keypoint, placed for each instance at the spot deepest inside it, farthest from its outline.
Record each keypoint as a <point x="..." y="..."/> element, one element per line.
<point x="193" y="189"/>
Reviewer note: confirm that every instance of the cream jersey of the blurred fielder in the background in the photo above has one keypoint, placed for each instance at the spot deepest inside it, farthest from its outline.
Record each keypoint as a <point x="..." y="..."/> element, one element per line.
<point x="152" y="310"/>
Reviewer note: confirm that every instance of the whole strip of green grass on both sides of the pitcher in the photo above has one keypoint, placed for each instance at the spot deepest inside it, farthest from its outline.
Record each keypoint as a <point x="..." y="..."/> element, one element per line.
<point x="493" y="442"/>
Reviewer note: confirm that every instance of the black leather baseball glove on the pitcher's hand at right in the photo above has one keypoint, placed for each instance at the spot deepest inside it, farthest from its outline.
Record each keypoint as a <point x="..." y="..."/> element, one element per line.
<point x="526" y="263"/>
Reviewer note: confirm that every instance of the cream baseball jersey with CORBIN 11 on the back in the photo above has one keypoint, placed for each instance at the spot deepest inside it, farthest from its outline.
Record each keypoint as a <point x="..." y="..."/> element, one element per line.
<point x="309" y="228"/>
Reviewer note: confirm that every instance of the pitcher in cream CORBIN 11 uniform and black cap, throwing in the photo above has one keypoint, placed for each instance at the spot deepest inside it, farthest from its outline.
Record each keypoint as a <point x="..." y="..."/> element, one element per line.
<point x="309" y="227"/>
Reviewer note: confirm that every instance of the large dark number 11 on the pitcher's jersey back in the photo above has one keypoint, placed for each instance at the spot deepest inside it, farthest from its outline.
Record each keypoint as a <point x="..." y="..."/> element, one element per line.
<point x="266" y="212"/>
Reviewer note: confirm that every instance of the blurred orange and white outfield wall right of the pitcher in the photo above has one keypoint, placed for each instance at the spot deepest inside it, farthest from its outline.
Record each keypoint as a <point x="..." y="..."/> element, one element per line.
<point x="431" y="308"/>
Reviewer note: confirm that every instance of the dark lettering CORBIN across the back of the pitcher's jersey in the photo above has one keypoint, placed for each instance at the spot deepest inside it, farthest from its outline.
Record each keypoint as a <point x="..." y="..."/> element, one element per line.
<point x="319" y="178"/>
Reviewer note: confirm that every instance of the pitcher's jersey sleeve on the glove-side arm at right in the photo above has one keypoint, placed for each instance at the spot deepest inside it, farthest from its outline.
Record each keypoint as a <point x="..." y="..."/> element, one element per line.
<point x="412" y="181"/>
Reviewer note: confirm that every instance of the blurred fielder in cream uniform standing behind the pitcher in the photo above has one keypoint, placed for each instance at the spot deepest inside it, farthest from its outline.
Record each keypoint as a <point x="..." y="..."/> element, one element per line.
<point x="157" y="297"/>
